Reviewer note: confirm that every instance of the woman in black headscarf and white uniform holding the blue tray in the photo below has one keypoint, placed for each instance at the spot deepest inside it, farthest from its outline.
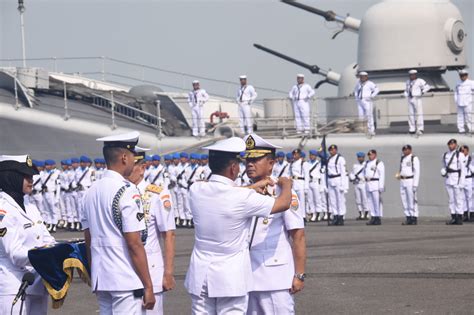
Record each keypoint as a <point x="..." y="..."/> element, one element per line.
<point x="21" y="229"/>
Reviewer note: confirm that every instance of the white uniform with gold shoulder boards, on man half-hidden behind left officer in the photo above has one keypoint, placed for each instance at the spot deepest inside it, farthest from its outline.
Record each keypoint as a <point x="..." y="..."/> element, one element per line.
<point x="159" y="218"/>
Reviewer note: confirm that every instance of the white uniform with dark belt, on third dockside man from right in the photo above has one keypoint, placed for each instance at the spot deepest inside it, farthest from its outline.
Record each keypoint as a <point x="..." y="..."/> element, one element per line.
<point x="409" y="180"/>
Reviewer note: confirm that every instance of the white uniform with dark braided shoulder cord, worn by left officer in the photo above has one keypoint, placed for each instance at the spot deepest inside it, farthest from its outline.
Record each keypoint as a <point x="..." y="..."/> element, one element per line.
<point x="110" y="200"/>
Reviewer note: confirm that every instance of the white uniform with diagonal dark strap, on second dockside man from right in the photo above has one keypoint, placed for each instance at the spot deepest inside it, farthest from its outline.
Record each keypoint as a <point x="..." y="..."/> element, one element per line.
<point x="453" y="162"/>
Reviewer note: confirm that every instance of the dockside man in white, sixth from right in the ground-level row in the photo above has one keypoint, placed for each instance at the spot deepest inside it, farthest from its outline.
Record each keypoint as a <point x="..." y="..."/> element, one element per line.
<point x="337" y="185"/>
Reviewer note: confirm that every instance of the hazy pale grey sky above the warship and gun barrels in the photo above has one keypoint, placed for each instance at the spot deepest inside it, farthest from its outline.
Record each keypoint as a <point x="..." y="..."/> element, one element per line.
<point x="207" y="38"/>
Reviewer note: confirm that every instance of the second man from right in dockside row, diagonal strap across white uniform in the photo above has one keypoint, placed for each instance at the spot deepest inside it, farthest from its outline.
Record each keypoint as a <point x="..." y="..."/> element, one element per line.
<point x="454" y="173"/>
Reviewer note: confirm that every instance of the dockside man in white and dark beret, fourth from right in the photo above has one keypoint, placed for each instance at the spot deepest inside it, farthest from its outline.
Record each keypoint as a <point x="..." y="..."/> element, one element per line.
<point x="374" y="173"/>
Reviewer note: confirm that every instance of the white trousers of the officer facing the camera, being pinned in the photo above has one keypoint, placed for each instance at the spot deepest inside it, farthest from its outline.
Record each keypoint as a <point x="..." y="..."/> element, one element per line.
<point x="271" y="302"/>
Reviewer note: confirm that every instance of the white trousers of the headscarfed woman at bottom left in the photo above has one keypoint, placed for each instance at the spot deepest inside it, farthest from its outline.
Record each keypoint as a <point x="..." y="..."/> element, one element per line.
<point x="34" y="305"/>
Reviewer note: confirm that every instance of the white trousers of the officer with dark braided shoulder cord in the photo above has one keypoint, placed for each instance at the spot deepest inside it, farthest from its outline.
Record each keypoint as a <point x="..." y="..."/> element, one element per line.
<point x="119" y="303"/>
